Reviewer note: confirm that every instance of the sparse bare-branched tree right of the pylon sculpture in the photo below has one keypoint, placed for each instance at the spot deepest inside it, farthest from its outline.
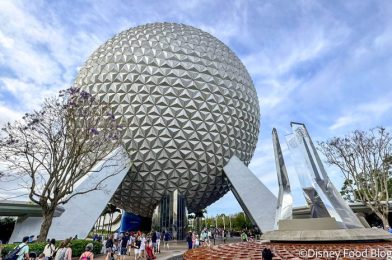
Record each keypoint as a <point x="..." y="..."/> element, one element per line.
<point x="364" y="159"/>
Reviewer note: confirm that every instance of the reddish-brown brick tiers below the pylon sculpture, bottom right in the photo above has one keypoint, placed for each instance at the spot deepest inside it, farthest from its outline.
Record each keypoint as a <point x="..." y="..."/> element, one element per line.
<point x="252" y="250"/>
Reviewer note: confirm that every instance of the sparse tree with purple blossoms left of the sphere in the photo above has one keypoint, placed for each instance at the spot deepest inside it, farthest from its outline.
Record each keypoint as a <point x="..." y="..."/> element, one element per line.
<point x="51" y="149"/>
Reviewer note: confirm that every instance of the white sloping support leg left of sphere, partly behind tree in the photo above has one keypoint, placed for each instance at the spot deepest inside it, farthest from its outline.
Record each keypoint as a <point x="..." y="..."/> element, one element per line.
<point x="82" y="211"/>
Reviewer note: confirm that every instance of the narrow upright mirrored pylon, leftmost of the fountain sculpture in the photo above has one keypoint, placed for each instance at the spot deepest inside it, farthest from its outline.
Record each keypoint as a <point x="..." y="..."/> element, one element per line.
<point x="284" y="208"/>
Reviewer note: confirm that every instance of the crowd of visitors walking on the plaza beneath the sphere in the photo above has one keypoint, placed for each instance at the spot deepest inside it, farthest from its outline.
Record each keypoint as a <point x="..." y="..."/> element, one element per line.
<point x="118" y="245"/>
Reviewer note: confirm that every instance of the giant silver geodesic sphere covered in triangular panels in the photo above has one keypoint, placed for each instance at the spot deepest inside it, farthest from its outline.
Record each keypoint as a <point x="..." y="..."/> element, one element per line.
<point x="188" y="105"/>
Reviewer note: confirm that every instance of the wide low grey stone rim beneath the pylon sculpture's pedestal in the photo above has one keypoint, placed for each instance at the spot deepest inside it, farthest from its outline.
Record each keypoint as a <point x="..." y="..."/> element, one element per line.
<point x="356" y="234"/>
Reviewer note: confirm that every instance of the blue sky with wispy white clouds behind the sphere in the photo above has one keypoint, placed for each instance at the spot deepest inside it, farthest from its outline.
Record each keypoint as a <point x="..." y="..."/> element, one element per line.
<point x="327" y="64"/>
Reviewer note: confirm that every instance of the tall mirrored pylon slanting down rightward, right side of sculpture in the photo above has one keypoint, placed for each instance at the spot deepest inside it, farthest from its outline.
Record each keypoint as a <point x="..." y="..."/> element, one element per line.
<point x="311" y="170"/>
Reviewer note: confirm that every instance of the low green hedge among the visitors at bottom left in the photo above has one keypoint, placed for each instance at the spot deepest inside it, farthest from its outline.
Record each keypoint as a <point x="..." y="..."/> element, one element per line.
<point x="77" y="246"/>
